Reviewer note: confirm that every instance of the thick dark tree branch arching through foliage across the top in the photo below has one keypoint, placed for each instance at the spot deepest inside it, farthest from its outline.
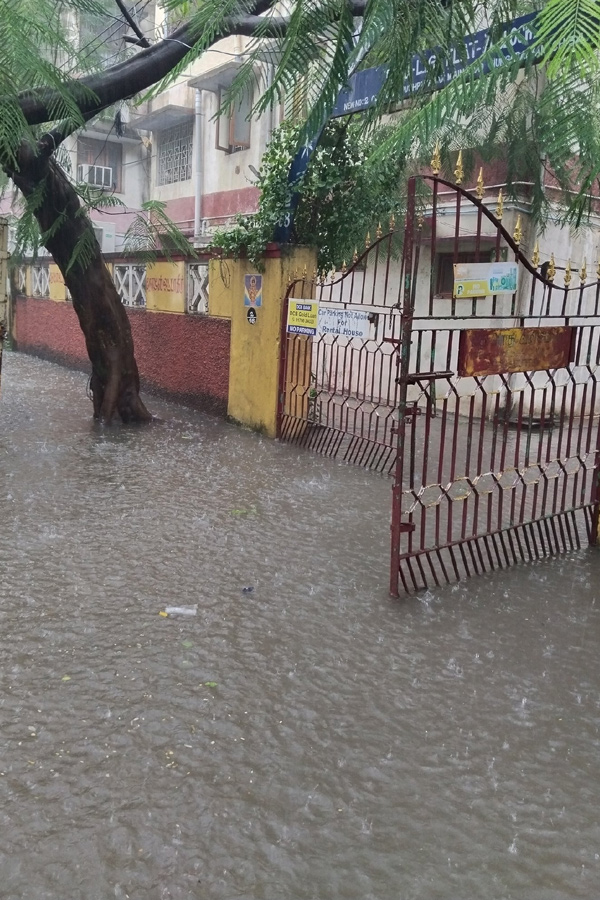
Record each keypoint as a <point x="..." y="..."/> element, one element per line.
<point x="149" y="66"/>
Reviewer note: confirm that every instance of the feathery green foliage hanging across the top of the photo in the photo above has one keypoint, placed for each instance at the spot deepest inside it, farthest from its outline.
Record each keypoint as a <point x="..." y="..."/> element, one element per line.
<point x="552" y="116"/>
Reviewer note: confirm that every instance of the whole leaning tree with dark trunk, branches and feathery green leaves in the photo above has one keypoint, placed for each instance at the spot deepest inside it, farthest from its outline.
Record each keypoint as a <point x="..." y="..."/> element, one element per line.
<point x="552" y="115"/>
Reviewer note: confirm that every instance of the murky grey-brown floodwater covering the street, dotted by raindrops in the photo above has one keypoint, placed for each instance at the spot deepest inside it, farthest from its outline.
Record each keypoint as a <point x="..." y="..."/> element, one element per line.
<point x="307" y="740"/>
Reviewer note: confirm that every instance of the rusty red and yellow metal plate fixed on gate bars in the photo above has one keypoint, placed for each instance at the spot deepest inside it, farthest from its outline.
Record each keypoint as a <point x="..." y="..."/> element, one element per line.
<point x="494" y="351"/>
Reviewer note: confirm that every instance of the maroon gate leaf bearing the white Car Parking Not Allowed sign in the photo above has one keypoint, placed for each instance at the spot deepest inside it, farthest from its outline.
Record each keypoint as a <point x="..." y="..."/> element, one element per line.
<point x="338" y="392"/>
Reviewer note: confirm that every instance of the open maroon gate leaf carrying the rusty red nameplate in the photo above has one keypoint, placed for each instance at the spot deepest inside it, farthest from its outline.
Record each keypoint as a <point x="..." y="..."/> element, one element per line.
<point x="497" y="441"/>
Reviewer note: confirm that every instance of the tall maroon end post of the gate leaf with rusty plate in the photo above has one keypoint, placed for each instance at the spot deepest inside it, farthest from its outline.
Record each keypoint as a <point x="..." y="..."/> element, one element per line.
<point x="403" y="349"/>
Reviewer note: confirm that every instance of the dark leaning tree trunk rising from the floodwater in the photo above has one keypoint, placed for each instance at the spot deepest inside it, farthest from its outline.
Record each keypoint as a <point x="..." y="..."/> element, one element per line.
<point x="115" y="380"/>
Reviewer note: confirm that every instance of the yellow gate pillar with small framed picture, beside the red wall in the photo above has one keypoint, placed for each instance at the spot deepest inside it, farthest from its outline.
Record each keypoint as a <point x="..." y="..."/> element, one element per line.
<point x="256" y="349"/>
